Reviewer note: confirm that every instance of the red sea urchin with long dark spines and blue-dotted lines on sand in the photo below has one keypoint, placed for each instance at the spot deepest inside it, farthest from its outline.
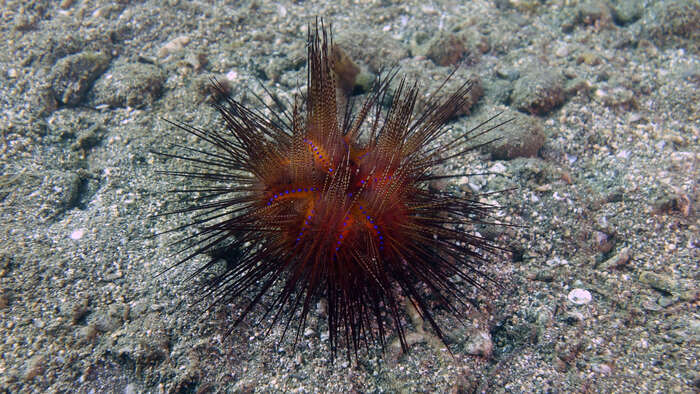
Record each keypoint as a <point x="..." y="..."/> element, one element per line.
<point x="320" y="203"/>
